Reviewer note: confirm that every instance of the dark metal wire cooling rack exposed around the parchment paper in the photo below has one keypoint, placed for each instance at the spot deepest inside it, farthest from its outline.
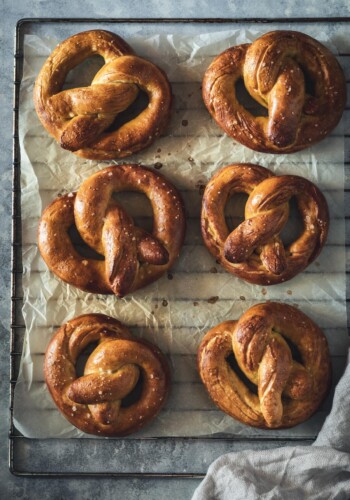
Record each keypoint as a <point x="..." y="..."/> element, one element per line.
<point x="39" y="457"/>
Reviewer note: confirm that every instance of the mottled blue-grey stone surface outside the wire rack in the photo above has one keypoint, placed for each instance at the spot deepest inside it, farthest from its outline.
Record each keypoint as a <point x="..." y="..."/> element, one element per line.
<point x="11" y="12"/>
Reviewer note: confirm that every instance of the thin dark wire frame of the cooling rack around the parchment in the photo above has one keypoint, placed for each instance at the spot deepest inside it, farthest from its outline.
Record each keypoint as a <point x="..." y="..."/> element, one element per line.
<point x="17" y="442"/>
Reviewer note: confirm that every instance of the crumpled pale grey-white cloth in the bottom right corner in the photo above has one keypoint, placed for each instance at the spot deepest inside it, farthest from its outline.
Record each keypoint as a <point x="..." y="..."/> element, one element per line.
<point x="320" y="471"/>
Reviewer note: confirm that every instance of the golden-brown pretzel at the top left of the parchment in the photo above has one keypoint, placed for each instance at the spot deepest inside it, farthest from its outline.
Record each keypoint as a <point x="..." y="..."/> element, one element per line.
<point x="79" y="118"/>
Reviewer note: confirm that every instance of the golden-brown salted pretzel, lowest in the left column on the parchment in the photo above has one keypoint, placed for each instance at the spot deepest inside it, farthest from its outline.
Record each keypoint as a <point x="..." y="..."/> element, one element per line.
<point x="94" y="402"/>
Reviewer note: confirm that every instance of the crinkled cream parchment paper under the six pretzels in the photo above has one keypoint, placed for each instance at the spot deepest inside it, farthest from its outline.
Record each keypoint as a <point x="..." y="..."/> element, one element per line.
<point x="176" y="311"/>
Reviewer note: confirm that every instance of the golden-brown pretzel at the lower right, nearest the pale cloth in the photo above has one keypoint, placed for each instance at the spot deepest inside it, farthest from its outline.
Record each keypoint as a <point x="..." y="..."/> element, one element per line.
<point x="288" y="391"/>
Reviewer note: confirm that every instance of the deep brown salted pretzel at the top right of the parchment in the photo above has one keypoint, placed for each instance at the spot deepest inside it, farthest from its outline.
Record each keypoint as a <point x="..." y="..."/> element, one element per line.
<point x="293" y="76"/>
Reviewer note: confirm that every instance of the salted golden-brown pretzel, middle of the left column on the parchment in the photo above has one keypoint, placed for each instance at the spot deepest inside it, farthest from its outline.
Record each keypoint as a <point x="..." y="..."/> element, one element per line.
<point x="133" y="257"/>
